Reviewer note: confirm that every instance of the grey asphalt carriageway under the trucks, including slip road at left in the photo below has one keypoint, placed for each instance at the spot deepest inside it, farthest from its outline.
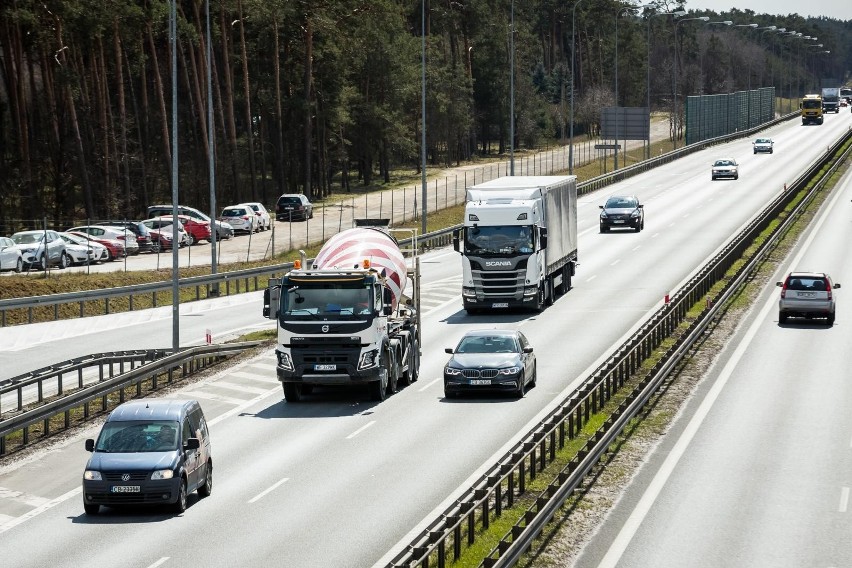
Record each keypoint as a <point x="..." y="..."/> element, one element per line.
<point x="340" y="481"/>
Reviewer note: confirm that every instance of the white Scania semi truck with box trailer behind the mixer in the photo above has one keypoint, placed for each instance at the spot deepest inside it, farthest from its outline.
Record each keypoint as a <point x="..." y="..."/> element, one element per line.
<point x="518" y="242"/>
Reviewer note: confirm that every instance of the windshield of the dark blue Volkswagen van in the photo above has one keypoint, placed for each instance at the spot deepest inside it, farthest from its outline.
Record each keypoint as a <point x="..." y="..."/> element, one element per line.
<point x="133" y="436"/>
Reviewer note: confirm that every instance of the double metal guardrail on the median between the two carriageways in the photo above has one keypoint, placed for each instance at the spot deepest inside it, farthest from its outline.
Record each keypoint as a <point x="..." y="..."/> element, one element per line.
<point x="505" y="481"/>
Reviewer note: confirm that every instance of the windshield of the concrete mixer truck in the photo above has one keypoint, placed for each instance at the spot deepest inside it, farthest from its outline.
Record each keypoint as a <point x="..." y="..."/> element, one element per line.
<point x="327" y="300"/>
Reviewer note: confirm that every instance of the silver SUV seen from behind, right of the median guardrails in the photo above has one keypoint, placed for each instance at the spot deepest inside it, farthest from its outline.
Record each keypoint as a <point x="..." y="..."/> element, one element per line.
<point x="808" y="295"/>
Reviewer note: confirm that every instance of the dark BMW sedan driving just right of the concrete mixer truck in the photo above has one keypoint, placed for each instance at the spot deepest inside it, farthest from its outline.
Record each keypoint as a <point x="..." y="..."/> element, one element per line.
<point x="490" y="359"/>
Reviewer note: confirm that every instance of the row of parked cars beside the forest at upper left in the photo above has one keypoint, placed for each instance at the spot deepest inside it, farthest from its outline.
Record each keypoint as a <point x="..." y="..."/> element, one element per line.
<point x="105" y="241"/>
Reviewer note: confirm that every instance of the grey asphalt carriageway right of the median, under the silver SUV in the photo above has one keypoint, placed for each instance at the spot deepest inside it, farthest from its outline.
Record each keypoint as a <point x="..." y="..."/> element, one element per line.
<point x="756" y="470"/>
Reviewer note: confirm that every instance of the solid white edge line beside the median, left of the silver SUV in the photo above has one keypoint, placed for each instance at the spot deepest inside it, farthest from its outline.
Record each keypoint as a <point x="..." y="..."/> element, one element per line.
<point x="631" y="526"/>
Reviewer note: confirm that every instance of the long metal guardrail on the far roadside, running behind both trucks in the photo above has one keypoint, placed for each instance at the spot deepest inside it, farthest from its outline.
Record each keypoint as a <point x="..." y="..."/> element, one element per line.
<point x="250" y="279"/>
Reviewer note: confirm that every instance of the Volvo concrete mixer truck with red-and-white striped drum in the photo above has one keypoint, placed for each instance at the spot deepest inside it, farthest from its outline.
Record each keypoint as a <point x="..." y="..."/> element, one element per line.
<point x="350" y="318"/>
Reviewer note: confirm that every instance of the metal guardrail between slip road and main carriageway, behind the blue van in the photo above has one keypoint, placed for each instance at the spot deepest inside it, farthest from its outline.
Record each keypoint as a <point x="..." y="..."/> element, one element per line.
<point x="185" y="361"/>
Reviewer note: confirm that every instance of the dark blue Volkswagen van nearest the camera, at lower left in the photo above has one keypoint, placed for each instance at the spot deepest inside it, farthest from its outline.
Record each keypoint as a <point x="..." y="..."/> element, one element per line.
<point x="149" y="452"/>
